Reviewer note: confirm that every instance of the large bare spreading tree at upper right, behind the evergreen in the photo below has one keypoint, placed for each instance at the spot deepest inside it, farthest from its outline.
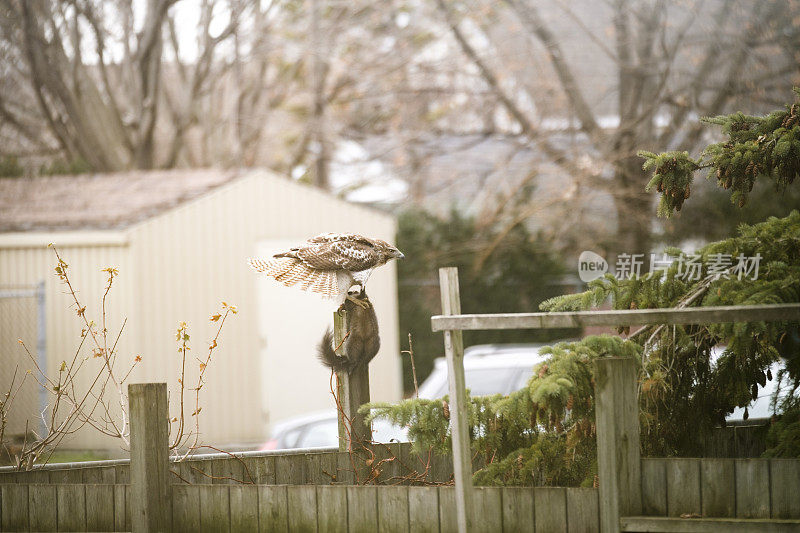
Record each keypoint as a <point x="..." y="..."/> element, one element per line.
<point x="665" y="63"/>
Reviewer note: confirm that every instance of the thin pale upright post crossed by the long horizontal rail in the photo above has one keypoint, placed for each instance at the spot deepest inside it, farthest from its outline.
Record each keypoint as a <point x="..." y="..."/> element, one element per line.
<point x="459" y="428"/>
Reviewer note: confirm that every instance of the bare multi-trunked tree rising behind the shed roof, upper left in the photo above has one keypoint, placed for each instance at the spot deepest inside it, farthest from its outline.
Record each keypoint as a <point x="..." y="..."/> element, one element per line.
<point x="95" y="80"/>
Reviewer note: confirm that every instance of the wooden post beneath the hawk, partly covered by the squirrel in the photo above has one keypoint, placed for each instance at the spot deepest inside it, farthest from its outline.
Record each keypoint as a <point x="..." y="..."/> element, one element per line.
<point x="353" y="392"/>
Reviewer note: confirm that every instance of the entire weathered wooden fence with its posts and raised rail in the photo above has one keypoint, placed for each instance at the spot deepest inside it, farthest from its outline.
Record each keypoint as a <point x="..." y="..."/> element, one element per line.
<point x="304" y="491"/>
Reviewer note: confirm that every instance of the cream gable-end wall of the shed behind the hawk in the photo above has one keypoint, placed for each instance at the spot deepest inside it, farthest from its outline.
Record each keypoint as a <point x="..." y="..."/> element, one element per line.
<point x="205" y="244"/>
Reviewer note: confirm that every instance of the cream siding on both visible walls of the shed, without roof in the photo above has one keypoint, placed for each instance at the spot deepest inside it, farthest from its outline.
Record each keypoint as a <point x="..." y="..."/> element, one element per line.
<point x="179" y="266"/>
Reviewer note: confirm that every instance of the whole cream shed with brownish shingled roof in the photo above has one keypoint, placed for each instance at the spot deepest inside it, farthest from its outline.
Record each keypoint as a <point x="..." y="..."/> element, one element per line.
<point x="180" y="240"/>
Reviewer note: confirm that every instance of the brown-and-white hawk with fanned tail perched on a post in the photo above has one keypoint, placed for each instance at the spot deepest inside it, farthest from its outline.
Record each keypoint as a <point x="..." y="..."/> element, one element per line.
<point x="329" y="264"/>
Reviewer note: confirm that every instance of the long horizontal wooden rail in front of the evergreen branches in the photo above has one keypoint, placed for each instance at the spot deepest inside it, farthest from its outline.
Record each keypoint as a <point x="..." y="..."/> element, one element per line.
<point x="633" y="317"/>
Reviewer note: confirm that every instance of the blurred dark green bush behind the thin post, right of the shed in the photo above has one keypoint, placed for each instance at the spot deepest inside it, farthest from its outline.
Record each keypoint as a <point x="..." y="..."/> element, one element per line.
<point x="505" y="272"/>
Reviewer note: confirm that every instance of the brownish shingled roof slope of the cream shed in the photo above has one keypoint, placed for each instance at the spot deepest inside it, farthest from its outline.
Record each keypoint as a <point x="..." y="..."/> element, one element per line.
<point x="100" y="201"/>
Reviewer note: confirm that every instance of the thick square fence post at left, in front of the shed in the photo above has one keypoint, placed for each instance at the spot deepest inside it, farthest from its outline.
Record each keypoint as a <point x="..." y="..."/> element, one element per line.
<point x="150" y="490"/>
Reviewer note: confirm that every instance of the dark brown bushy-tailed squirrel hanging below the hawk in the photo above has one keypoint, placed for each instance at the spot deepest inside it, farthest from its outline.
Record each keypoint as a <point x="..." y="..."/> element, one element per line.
<point x="361" y="341"/>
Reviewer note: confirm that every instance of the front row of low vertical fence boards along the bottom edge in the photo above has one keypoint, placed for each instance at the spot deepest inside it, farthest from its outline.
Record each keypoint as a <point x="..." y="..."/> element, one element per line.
<point x="89" y="507"/>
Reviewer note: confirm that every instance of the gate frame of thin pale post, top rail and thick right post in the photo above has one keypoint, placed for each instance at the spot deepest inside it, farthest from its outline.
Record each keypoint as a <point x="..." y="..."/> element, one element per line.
<point x="616" y="409"/>
